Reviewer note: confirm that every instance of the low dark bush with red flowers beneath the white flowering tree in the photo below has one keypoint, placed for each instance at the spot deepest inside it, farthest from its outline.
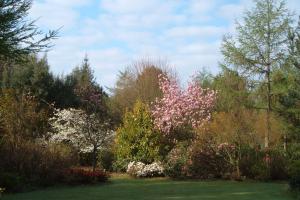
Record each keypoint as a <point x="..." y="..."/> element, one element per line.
<point x="81" y="176"/>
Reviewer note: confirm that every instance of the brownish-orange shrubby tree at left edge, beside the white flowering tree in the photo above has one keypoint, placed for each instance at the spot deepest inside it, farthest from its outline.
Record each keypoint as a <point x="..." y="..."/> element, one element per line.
<point x="22" y="116"/>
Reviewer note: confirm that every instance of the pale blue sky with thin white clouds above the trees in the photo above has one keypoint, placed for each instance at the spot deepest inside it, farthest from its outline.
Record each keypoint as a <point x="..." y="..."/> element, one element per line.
<point x="115" y="33"/>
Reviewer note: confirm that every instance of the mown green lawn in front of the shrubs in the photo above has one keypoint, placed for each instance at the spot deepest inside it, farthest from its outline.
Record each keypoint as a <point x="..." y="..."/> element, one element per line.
<point x="123" y="188"/>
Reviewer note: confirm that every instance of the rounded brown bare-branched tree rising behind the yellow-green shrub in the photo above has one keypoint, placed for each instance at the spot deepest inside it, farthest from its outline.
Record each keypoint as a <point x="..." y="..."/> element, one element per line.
<point x="138" y="82"/>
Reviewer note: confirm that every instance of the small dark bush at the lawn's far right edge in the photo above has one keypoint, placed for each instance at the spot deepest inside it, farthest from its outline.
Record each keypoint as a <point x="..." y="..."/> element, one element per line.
<point x="294" y="174"/>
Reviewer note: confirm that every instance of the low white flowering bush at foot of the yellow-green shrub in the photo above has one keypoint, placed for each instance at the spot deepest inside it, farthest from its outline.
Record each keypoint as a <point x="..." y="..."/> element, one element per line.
<point x="139" y="169"/>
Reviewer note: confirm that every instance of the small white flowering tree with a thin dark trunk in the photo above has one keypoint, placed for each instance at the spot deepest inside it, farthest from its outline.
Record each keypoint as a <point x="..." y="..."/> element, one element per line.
<point x="86" y="132"/>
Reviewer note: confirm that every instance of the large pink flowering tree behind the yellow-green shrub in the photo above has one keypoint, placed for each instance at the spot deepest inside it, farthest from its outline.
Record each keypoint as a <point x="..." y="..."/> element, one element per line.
<point x="182" y="108"/>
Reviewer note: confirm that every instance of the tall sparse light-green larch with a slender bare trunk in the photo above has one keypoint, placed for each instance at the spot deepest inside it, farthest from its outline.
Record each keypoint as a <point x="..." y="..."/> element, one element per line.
<point x="260" y="45"/>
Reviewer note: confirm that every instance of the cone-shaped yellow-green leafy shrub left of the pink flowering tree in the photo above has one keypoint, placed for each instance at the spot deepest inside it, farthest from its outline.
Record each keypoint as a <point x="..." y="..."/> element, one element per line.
<point x="136" y="139"/>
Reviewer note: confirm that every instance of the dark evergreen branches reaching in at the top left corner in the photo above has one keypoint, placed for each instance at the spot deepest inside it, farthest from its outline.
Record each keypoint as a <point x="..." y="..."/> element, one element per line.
<point x="20" y="37"/>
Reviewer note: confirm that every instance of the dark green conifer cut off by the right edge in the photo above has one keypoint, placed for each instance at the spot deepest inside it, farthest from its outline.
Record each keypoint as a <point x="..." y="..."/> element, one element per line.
<point x="287" y="87"/>
